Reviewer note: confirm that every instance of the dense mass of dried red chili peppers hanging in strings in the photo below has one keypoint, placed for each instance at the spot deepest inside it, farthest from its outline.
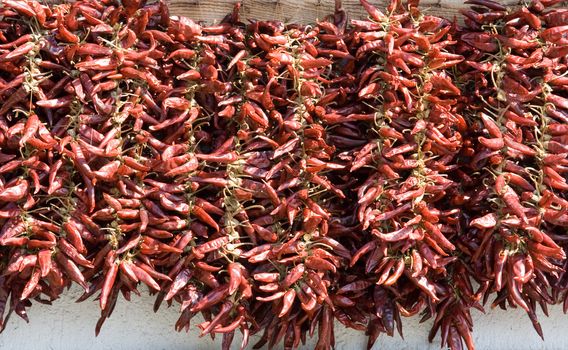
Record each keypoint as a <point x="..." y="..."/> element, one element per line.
<point x="276" y="178"/>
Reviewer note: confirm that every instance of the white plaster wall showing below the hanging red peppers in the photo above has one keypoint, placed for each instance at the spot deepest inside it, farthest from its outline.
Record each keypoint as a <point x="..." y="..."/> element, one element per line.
<point x="69" y="325"/>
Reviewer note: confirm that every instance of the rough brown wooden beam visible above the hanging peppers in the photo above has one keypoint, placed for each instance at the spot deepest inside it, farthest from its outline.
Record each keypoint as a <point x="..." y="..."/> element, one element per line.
<point x="299" y="11"/>
